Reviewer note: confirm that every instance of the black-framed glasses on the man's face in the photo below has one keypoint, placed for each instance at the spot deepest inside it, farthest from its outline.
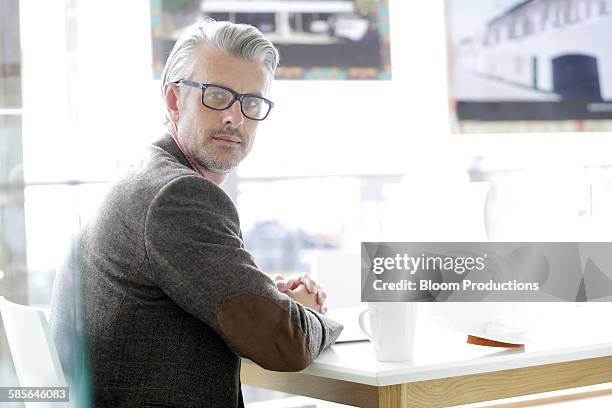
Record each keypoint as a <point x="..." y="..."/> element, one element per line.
<point x="218" y="97"/>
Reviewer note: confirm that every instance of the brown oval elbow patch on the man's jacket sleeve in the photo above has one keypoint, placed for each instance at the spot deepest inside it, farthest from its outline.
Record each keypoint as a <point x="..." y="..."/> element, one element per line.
<point x="263" y="332"/>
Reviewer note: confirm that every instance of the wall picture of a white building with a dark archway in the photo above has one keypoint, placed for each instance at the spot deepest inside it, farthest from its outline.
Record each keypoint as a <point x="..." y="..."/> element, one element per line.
<point x="530" y="64"/>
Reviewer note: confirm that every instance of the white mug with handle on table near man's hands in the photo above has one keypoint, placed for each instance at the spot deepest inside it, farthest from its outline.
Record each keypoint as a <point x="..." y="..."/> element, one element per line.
<point x="392" y="329"/>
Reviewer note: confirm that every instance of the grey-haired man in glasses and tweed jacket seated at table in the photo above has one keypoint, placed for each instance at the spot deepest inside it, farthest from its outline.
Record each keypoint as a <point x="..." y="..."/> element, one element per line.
<point x="171" y="300"/>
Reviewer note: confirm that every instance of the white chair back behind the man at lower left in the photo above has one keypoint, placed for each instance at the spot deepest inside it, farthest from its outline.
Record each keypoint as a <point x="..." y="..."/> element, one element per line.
<point x="35" y="357"/>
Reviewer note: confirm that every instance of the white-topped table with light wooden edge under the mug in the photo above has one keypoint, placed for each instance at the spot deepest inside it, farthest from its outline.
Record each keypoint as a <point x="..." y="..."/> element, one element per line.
<point x="570" y="349"/>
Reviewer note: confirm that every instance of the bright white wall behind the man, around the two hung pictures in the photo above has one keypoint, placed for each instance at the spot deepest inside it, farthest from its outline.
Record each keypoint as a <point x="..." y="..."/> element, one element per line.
<point x="317" y="127"/>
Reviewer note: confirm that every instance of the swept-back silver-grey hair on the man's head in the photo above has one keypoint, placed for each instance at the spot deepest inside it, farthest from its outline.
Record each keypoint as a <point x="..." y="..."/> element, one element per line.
<point x="240" y="40"/>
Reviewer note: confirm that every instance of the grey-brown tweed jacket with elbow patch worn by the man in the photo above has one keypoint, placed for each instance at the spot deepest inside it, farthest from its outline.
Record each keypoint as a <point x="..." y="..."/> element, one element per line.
<point x="170" y="299"/>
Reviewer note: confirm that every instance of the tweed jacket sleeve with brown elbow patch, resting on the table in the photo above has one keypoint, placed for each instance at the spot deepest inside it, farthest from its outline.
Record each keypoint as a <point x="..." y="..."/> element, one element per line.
<point x="196" y="256"/>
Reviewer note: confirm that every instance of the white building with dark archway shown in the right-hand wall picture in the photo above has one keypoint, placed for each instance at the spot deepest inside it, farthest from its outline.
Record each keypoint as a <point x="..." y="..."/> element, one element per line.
<point x="548" y="50"/>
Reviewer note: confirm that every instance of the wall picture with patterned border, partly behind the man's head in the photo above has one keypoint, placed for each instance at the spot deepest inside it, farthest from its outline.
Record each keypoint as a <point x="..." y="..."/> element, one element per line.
<point x="317" y="39"/>
